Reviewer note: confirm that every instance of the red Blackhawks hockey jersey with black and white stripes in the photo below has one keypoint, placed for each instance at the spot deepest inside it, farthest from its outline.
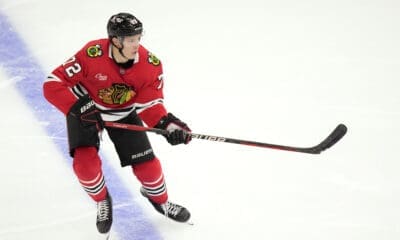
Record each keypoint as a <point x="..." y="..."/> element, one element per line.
<point x="115" y="90"/>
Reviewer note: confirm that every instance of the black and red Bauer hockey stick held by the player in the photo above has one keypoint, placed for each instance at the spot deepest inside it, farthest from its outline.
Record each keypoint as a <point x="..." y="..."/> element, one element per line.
<point x="334" y="137"/>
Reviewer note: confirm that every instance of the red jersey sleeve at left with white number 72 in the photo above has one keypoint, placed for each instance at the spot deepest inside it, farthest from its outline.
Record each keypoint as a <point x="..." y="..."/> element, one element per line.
<point x="60" y="85"/>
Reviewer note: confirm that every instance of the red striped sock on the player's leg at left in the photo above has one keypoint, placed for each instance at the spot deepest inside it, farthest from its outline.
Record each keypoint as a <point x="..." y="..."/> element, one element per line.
<point x="87" y="167"/>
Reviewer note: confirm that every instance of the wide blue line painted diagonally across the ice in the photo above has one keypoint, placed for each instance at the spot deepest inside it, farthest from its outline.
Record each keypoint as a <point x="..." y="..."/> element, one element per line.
<point x="16" y="60"/>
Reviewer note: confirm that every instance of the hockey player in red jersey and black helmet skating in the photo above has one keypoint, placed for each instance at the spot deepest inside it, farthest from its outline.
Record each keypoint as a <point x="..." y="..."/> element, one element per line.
<point x="116" y="79"/>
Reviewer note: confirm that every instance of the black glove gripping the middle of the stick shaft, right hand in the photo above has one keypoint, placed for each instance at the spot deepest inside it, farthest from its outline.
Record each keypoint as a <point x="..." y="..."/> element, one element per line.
<point x="179" y="132"/>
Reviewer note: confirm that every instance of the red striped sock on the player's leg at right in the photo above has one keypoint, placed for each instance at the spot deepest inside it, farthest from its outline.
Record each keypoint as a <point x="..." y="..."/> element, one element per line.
<point x="151" y="177"/>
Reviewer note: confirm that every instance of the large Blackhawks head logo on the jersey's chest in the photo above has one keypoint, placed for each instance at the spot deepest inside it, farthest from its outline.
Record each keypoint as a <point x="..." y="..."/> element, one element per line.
<point x="116" y="94"/>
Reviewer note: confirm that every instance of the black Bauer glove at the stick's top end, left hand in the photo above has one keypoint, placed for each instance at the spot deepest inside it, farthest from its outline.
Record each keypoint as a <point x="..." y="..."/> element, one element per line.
<point x="86" y="113"/>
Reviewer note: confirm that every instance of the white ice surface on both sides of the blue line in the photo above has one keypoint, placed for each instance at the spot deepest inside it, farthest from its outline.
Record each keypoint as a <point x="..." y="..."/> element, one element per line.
<point x="283" y="72"/>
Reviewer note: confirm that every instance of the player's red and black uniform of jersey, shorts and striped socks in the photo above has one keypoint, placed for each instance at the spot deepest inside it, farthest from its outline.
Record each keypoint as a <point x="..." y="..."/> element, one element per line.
<point x="121" y="94"/>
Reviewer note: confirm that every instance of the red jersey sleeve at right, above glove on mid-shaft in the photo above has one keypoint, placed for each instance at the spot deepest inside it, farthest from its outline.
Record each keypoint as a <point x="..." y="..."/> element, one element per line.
<point x="150" y="99"/>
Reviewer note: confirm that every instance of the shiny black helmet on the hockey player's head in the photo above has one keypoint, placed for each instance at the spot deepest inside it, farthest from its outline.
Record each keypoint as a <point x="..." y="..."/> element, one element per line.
<point x="123" y="24"/>
